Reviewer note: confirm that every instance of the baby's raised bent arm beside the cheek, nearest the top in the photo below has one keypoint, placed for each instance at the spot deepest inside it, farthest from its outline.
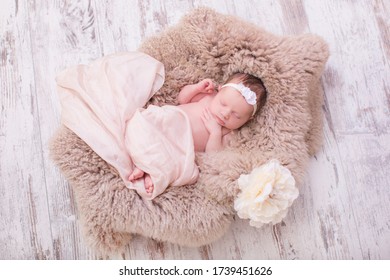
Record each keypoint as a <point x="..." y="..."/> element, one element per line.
<point x="195" y="92"/>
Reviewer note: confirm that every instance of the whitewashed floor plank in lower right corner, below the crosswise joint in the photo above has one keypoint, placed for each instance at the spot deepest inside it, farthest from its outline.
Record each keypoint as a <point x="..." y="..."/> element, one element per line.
<point x="367" y="163"/>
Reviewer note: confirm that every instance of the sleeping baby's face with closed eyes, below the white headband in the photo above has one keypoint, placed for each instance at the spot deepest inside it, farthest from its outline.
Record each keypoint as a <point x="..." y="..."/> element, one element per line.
<point x="230" y="108"/>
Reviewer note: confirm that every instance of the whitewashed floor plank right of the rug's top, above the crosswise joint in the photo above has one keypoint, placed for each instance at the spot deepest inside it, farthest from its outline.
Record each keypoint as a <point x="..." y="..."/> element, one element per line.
<point x="359" y="70"/>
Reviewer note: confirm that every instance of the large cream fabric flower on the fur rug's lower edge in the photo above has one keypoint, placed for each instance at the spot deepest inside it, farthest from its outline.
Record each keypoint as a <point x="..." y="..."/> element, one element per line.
<point x="266" y="193"/>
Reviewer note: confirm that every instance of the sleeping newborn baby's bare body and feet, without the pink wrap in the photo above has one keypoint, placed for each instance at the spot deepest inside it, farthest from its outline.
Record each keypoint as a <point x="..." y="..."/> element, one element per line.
<point x="214" y="111"/>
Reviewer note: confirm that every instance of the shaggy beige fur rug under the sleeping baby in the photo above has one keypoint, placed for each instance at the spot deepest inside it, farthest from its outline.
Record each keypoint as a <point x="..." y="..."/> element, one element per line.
<point x="206" y="44"/>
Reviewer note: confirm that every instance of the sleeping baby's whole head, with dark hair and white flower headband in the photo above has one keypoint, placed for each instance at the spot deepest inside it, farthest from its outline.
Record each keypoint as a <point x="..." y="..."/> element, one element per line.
<point x="238" y="100"/>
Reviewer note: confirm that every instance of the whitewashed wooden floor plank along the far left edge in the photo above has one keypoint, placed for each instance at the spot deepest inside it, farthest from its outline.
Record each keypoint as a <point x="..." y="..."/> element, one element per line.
<point x="25" y="231"/>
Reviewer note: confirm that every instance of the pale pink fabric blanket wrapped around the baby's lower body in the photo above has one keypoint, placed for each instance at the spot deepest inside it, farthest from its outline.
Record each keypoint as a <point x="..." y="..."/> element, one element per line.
<point x="102" y="103"/>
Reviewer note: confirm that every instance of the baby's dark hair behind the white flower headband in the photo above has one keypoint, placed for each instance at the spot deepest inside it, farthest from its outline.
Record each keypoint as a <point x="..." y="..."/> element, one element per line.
<point x="254" y="83"/>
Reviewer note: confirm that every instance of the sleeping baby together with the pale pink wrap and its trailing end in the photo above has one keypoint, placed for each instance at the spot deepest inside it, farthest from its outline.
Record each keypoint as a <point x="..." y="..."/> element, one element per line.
<point x="152" y="148"/>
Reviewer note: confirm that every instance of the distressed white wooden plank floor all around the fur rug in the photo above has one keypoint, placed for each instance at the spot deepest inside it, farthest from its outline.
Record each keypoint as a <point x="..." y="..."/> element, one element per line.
<point x="343" y="211"/>
